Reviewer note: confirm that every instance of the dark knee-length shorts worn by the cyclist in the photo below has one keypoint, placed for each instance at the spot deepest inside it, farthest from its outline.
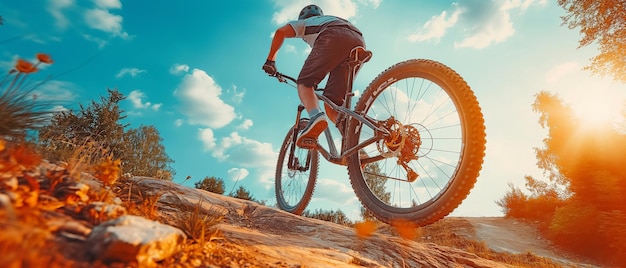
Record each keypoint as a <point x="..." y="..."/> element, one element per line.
<point x="332" y="48"/>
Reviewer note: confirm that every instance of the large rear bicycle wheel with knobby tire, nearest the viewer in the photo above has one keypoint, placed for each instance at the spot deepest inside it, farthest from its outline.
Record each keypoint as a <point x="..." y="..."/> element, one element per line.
<point x="431" y="158"/>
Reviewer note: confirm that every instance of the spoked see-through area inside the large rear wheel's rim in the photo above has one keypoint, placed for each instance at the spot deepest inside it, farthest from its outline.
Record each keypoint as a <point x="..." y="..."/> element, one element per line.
<point x="419" y="101"/>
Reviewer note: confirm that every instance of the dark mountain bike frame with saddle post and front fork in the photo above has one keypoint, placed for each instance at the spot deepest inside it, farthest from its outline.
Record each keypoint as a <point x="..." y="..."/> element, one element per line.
<point x="344" y="113"/>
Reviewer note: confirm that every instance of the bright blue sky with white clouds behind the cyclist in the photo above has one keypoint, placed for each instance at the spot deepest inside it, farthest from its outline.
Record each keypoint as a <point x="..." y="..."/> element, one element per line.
<point x="192" y="69"/>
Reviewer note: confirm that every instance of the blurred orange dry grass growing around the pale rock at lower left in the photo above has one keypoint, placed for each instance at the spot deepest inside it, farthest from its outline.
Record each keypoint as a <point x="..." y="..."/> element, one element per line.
<point x="29" y="201"/>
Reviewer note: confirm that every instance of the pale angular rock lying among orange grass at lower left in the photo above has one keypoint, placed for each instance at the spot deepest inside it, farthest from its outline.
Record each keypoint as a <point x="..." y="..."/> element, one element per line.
<point x="131" y="238"/>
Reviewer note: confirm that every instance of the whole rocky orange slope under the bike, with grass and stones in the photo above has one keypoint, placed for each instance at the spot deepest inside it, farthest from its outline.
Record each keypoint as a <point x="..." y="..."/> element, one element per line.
<point x="51" y="219"/>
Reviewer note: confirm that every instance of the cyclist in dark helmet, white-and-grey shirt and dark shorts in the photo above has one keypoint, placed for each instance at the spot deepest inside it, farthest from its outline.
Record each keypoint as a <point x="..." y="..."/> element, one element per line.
<point x="331" y="39"/>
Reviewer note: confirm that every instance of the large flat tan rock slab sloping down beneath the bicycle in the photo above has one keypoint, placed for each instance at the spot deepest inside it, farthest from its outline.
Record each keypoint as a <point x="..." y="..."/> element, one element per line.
<point x="277" y="237"/>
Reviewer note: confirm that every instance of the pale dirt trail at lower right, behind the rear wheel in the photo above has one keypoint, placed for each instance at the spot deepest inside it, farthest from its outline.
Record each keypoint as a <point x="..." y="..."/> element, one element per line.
<point x="517" y="237"/>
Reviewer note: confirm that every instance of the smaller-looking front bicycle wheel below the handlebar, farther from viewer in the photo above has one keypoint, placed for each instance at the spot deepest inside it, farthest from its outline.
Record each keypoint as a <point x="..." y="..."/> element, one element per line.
<point x="296" y="172"/>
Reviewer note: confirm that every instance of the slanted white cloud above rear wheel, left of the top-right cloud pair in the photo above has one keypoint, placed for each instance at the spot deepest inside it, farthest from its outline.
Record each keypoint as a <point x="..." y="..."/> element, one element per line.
<point x="436" y="27"/>
